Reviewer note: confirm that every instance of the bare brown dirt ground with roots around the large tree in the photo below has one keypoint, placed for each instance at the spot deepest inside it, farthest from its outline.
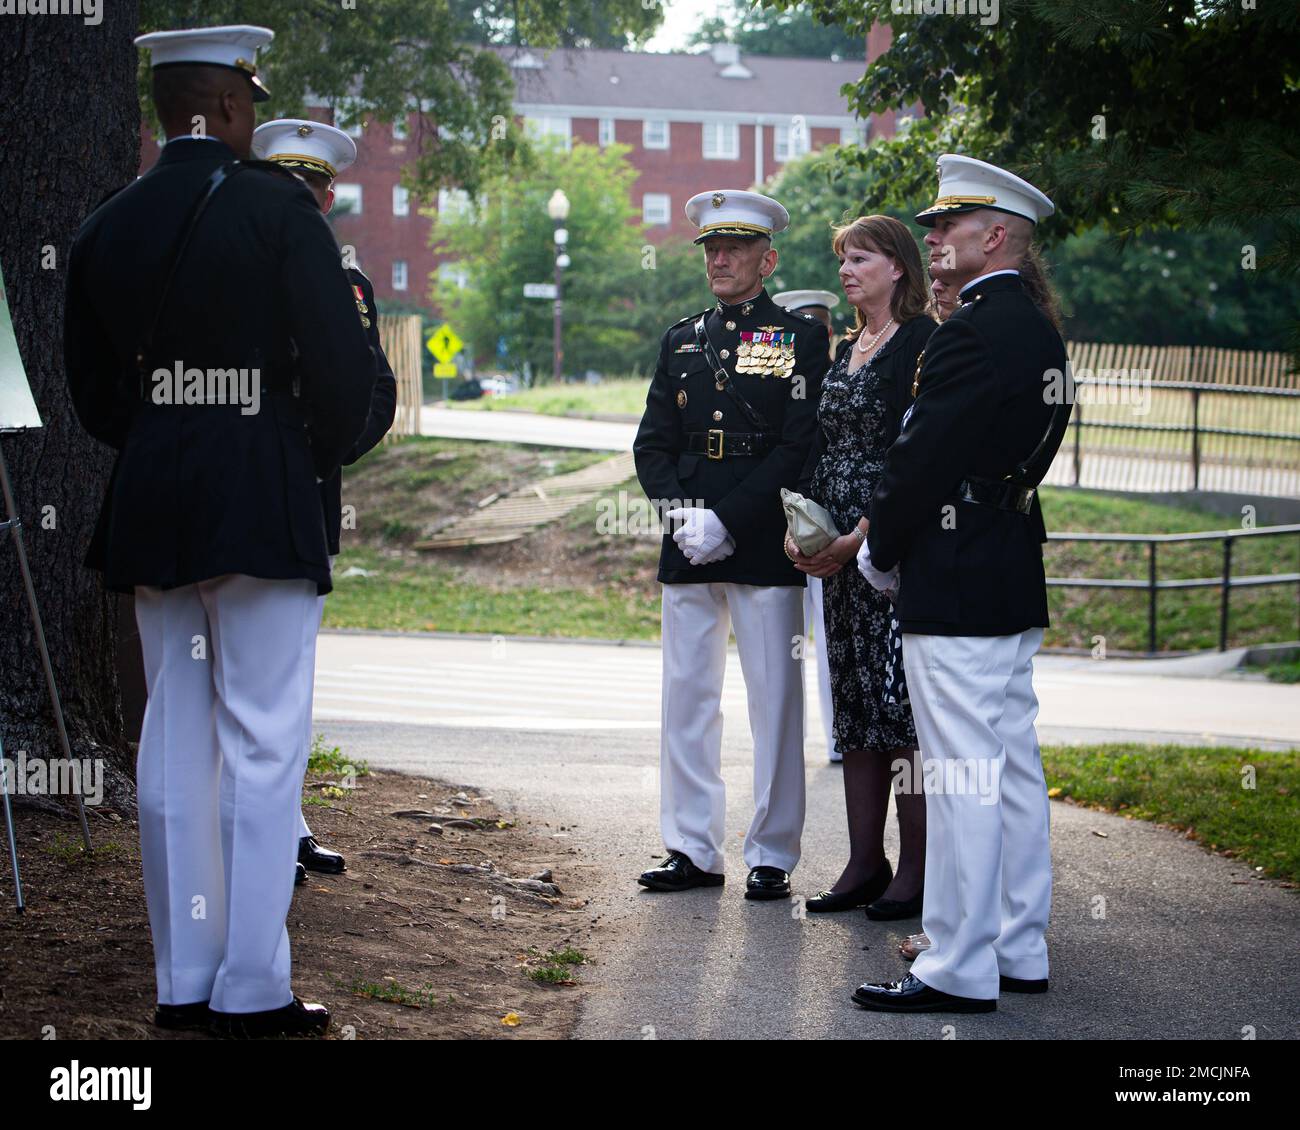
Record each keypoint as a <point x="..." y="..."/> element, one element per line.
<point x="418" y="919"/>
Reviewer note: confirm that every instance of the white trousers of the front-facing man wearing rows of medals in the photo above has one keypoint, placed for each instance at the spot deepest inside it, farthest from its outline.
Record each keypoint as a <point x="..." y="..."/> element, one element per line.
<point x="769" y="625"/>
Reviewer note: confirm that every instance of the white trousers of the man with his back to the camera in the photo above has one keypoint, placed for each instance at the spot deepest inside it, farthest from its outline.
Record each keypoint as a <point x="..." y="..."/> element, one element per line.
<point x="228" y="664"/>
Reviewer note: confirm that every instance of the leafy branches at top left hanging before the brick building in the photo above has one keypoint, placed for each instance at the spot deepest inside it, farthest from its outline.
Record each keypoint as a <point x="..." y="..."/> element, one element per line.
<point x="385" y="58"/>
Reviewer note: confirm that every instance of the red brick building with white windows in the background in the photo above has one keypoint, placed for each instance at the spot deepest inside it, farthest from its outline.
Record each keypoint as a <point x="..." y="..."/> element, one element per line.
<point x="692" y="123"/>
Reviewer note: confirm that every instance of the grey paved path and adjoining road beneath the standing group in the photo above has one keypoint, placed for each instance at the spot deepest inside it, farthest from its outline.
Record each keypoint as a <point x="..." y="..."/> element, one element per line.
<point x="1191" y="945"/>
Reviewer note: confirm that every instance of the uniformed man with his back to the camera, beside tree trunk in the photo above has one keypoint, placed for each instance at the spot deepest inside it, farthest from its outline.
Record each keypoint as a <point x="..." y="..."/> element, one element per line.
<point x="214" y="516"/>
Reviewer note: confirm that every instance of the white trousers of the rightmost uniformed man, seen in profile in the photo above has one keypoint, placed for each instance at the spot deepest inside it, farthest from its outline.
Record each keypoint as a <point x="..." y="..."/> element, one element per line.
<point x="989" y="867"/>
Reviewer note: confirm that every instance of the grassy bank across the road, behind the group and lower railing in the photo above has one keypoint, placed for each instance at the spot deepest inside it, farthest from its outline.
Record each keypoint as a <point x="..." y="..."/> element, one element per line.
<point x="574" y="581"/>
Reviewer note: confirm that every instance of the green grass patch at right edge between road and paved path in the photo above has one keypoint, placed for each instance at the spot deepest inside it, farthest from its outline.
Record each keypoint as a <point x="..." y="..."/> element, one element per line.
<point x="1241" y="803"/>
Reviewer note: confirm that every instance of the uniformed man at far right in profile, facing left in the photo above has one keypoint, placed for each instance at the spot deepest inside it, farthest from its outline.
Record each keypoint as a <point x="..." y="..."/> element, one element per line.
<point x="956" y="535"/>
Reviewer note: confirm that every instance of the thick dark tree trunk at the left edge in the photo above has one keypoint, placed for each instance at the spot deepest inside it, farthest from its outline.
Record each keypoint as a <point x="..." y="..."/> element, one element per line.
<point x="70" y="136"/>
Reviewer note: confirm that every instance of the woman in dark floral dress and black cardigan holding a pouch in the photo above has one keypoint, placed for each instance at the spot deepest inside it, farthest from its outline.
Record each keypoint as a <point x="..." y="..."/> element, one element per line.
<point x="864" y="400"/>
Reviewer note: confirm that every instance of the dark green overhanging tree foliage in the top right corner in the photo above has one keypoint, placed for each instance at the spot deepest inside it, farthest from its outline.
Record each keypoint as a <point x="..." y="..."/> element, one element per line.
<point x="1133" y="114"/>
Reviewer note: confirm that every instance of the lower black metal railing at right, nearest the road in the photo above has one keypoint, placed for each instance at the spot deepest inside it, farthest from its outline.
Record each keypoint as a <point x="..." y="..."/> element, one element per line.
<point x="1154" y="586"/>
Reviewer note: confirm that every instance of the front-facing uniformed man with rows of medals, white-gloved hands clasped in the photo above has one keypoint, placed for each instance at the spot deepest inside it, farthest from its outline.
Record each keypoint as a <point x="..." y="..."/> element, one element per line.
<point x="730" y="418"/>
